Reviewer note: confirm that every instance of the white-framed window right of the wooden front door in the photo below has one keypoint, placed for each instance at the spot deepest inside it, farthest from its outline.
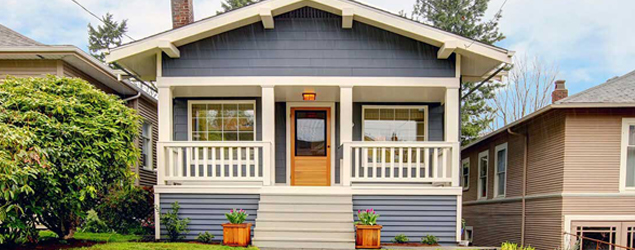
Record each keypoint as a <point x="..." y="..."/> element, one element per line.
<point x="395" y="123"/>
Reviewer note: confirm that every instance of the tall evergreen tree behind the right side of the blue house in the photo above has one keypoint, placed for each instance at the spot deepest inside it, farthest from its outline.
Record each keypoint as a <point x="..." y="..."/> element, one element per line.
<point x="465" y="18"/>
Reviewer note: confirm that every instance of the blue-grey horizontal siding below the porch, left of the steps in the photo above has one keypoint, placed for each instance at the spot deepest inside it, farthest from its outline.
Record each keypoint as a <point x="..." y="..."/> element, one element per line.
<point x="207" y="211"/>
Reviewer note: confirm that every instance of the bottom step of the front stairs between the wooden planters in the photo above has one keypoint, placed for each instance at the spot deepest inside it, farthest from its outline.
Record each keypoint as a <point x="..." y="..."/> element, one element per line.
<point x="300" y="243"/>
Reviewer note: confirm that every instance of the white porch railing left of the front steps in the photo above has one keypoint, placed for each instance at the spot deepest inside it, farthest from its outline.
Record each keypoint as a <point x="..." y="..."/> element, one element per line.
<point x="215" y="161"/>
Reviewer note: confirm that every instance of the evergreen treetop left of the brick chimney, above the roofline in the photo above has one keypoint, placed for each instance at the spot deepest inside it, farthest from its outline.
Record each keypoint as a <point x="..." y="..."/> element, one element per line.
<point x="106" y="36"/>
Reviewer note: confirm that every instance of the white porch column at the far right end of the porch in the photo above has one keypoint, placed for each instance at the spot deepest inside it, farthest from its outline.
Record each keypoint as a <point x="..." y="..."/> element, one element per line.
<point x="451" y="129"/>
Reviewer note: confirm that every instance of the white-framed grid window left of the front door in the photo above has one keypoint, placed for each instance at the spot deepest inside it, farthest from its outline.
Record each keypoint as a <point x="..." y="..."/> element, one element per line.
<point x="222" y="120"/>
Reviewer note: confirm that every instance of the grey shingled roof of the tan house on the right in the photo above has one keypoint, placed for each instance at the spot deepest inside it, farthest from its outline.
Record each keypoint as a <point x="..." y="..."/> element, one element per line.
<point x="615" y="90"/>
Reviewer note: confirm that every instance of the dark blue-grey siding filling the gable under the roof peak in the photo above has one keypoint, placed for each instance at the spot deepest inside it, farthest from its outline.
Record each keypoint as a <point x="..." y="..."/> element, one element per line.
<point x="308" y="42"/>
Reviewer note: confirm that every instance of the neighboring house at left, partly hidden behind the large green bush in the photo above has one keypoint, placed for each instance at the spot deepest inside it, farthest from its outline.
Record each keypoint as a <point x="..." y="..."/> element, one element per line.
<point x="21" y="56"/>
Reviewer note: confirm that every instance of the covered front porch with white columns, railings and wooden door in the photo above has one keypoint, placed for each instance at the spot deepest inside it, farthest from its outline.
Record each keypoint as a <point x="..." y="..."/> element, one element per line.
<point x="258" y="132"/>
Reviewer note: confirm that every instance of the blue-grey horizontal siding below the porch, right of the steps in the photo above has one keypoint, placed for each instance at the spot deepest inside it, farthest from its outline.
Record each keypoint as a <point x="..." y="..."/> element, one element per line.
<point x="414" y="216"/>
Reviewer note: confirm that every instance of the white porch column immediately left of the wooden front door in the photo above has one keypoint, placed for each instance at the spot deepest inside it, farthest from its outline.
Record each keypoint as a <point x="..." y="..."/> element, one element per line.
<point x="268" y="132"/>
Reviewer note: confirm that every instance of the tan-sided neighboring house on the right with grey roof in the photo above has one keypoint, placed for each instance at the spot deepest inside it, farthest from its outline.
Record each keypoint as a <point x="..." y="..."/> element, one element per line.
<point x="568" y="167"/>
